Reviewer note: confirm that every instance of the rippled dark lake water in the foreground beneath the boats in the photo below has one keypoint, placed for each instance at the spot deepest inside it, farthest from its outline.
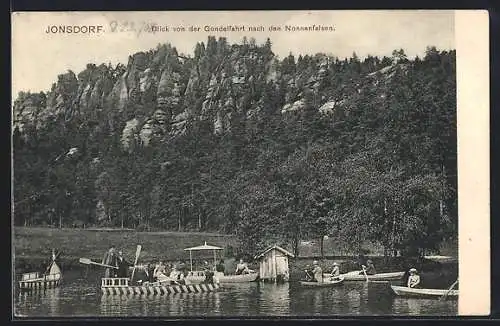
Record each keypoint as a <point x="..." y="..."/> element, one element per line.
<point x="80" y="296"/>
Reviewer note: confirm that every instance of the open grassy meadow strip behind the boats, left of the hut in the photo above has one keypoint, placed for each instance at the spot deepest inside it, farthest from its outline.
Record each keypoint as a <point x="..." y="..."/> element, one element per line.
<point x="32" y="246"/>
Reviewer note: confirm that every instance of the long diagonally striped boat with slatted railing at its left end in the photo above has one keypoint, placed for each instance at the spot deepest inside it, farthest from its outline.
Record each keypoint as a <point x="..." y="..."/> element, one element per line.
<point x="121" y="286"/>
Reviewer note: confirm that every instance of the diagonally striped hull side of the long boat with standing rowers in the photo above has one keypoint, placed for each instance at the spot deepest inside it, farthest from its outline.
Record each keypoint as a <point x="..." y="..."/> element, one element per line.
<point x="159" y="290"/>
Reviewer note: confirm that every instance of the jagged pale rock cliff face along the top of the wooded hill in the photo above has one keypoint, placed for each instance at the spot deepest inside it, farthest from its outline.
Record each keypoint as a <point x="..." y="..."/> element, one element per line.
<point x="159" y="92"/>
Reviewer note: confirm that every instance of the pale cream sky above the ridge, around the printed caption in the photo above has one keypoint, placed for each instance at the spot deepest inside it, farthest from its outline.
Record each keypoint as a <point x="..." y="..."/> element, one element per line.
<point x="38" y="57"/>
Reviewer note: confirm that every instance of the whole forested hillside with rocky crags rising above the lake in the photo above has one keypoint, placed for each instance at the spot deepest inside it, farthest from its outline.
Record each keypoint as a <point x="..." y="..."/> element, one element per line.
<point x="236" y="140"/>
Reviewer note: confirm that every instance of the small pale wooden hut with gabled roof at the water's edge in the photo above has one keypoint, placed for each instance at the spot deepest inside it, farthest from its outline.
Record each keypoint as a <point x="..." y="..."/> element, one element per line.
<point x="273" y="264"/>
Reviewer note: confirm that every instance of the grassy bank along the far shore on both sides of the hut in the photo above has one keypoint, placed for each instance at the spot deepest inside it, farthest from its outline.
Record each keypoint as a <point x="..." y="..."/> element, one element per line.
<point x="33" y="245"/>
